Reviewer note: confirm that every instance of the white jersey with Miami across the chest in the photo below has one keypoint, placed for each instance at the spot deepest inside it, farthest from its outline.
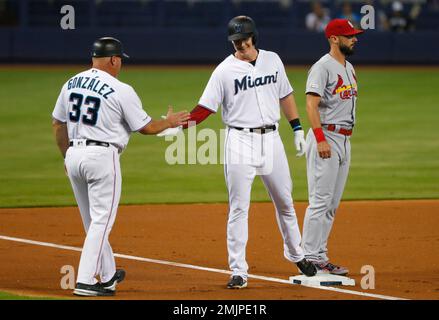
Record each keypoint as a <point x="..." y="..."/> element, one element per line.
<point x="249" y="95"/>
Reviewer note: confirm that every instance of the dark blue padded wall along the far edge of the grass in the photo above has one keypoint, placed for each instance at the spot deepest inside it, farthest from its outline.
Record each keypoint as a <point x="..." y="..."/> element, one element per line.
<point x="205" y="46"/>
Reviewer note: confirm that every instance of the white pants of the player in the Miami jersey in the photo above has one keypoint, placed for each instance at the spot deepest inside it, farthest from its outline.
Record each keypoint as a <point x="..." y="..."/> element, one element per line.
<point x="247" y="155"/>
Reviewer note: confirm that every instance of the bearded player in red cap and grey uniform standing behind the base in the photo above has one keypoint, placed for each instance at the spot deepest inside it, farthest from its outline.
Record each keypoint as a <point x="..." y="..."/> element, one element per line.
<point x="331" y="94"/>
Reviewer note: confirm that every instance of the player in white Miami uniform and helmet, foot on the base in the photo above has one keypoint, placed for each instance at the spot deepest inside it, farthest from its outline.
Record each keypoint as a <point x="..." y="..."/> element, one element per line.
<point x="251" y="85"/>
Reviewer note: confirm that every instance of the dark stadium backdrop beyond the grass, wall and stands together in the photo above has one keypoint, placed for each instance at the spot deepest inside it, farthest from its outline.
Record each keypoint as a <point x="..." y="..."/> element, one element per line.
<point x="196" y="30"/>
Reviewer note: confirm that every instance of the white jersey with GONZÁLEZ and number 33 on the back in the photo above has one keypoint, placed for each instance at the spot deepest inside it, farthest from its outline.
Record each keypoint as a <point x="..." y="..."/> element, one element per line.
<point x="97" y="106"/>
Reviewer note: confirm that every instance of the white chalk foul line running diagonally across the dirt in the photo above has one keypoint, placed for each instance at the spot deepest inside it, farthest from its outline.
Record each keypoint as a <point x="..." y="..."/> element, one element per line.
<point x="190" y="266"/>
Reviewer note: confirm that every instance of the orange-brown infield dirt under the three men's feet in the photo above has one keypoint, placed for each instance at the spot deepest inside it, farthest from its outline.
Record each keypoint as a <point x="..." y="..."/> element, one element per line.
<point x="400" y="239"/>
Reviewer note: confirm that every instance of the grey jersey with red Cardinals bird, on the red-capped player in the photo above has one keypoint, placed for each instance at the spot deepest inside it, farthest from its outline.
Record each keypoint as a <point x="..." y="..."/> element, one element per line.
<point x="337" y="85"/>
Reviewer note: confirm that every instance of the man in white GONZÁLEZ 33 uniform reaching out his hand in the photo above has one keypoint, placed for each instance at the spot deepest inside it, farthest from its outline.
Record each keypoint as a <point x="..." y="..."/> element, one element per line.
<point x="93" y="119"/>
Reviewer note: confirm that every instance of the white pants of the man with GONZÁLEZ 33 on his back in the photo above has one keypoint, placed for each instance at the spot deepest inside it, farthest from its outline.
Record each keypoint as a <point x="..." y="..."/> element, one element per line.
<point x="95" y="176"/>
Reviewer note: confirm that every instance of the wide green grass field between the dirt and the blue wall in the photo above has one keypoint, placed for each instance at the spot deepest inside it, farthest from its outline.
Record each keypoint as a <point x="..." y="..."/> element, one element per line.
<point x="395" y="147"/>
